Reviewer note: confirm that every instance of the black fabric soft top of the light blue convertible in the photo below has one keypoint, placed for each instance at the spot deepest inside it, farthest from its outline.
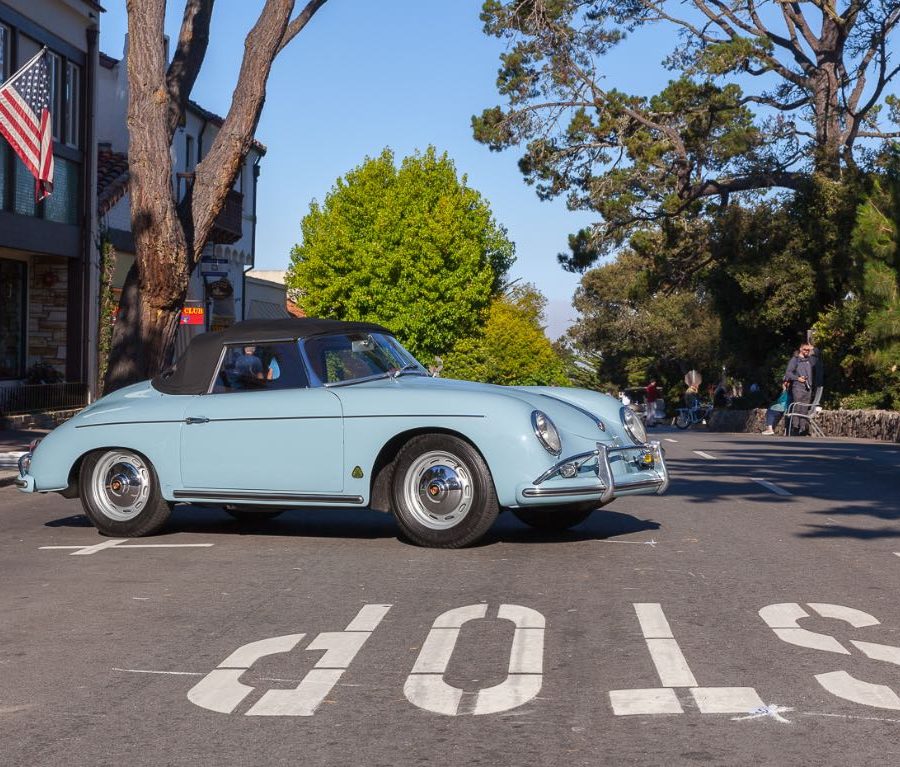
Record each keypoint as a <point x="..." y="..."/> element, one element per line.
<point x="194" y="370"/>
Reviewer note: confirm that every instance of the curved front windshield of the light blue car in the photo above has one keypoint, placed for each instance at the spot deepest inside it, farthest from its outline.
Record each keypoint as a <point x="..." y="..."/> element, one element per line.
<point x="349" y="357"/>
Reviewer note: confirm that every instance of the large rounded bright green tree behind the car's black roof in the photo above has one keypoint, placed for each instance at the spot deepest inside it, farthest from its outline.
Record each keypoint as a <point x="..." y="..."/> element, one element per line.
<point x="413" y="248"/>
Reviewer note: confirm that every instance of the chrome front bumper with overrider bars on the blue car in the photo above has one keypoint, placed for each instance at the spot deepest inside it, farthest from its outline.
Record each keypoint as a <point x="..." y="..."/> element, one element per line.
<point x="650" y="458"/>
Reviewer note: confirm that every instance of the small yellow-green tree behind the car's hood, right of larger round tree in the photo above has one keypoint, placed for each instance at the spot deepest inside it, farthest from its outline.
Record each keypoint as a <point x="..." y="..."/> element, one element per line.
<point x="511" y="349"/>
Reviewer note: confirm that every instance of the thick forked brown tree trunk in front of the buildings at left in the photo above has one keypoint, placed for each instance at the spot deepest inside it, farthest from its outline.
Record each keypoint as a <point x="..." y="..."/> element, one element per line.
<point x="170" y="234"/>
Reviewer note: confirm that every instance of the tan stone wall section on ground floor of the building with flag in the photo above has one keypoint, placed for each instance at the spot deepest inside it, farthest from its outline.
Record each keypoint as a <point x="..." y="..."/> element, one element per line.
<point x="47" y="311"/>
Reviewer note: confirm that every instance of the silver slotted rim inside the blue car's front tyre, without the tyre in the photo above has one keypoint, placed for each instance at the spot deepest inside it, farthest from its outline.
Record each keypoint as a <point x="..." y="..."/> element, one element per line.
<point x="438" y="490"/>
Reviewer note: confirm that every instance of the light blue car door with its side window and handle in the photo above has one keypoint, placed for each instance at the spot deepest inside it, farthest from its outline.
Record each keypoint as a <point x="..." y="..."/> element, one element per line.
<point x="262" y="429"/>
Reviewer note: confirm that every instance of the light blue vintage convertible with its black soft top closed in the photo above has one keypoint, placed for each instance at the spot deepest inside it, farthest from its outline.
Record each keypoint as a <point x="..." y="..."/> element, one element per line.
<point x="275" y="414"/>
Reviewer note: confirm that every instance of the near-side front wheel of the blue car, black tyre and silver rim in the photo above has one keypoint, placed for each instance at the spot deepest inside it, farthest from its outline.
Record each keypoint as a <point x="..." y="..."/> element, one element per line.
<point x="443" y="494"/>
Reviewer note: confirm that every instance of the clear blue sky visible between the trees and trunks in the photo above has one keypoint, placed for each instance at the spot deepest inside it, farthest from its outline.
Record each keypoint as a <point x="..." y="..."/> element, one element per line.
<point x="364" y="75"/>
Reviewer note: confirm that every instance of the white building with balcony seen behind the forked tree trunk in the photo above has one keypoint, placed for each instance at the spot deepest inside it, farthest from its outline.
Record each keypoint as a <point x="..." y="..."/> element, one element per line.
<point x="216" y="297"/>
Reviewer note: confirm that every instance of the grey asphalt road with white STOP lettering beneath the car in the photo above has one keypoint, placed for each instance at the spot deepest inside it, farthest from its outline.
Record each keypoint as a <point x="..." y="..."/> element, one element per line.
<point x="749" y="616"/>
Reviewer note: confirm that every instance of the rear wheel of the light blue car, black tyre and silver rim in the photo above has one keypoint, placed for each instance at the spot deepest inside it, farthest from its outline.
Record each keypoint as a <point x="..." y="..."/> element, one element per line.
<point x="120" y="494"/>
